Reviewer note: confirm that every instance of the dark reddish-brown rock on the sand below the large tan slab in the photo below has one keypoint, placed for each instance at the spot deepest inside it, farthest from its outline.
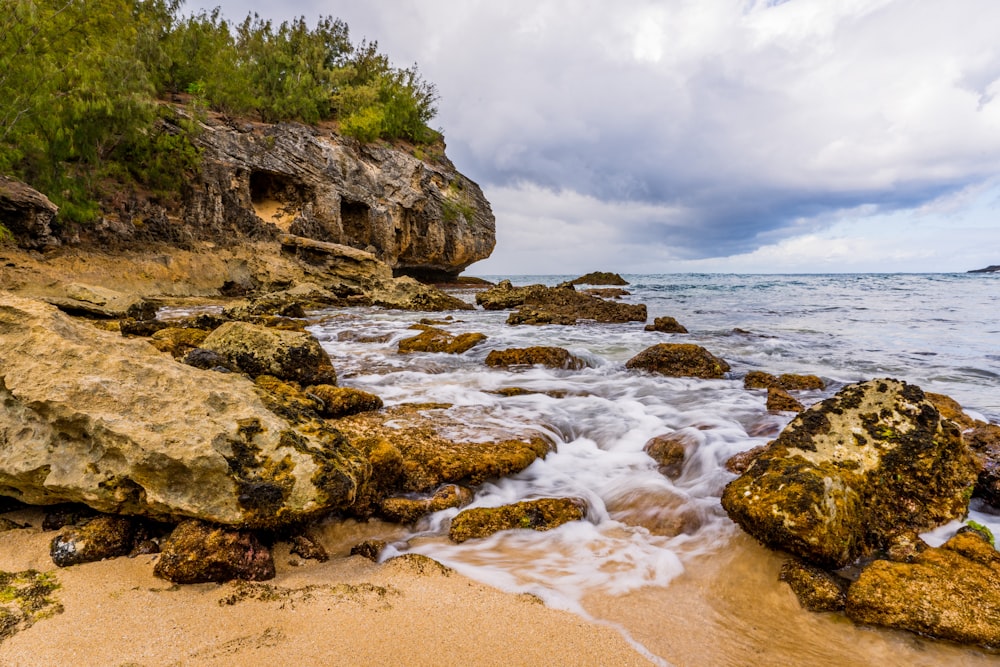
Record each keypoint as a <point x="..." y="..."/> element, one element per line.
<point x="198" y="553"/>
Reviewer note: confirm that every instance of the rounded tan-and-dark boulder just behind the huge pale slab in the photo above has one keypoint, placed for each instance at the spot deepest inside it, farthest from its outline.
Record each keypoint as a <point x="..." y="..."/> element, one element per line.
<point x="287" y="355"/>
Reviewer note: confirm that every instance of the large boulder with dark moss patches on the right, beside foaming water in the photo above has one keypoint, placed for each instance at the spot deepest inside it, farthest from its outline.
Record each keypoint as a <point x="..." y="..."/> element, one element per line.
<point x="852" y="471"/>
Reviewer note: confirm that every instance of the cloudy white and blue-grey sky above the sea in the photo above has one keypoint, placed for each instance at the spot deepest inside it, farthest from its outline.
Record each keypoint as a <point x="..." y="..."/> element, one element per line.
<point x="710" y="135"/>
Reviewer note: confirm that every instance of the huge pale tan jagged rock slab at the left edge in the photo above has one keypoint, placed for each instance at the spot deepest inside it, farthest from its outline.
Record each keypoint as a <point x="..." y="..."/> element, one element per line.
<point x="90" y="417"/>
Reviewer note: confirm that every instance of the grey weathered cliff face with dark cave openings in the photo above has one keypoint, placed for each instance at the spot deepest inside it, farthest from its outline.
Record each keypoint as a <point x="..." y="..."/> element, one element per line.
<point x="422" y="218"/>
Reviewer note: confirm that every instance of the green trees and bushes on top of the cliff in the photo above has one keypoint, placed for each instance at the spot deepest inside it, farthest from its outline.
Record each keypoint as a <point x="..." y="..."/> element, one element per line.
<point x="82" y="84"/>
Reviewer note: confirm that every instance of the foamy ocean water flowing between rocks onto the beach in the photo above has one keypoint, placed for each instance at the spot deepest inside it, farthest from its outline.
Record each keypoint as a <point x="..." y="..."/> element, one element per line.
<point x="648" y="541"/>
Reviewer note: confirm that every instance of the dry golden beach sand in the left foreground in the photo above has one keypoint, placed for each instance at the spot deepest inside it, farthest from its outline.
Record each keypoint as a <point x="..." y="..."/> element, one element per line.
<point x="347" y="611"/>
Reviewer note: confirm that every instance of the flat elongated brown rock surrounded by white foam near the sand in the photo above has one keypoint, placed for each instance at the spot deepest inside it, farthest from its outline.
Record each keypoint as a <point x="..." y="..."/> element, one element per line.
<point x="541" y="514"/>
